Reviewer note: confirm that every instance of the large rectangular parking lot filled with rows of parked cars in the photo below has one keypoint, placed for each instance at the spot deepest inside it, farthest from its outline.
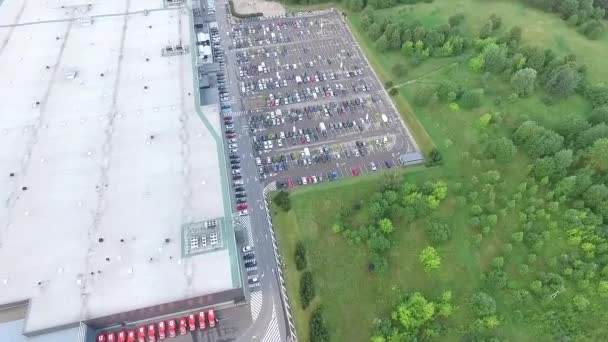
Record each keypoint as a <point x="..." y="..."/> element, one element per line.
<point x="308" y="101"/>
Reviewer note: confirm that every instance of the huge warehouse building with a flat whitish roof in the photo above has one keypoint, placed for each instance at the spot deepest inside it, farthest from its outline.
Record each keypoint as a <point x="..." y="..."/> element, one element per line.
<point x="114" y="204"/>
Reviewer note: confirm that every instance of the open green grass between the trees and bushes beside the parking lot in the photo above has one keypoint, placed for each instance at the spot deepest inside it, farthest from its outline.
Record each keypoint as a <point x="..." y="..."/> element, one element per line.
<point x="351" y="295"/>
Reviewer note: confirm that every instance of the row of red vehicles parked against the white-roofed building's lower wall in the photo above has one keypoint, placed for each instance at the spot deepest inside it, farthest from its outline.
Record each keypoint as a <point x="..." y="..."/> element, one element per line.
<point x="161" y="330"/>
